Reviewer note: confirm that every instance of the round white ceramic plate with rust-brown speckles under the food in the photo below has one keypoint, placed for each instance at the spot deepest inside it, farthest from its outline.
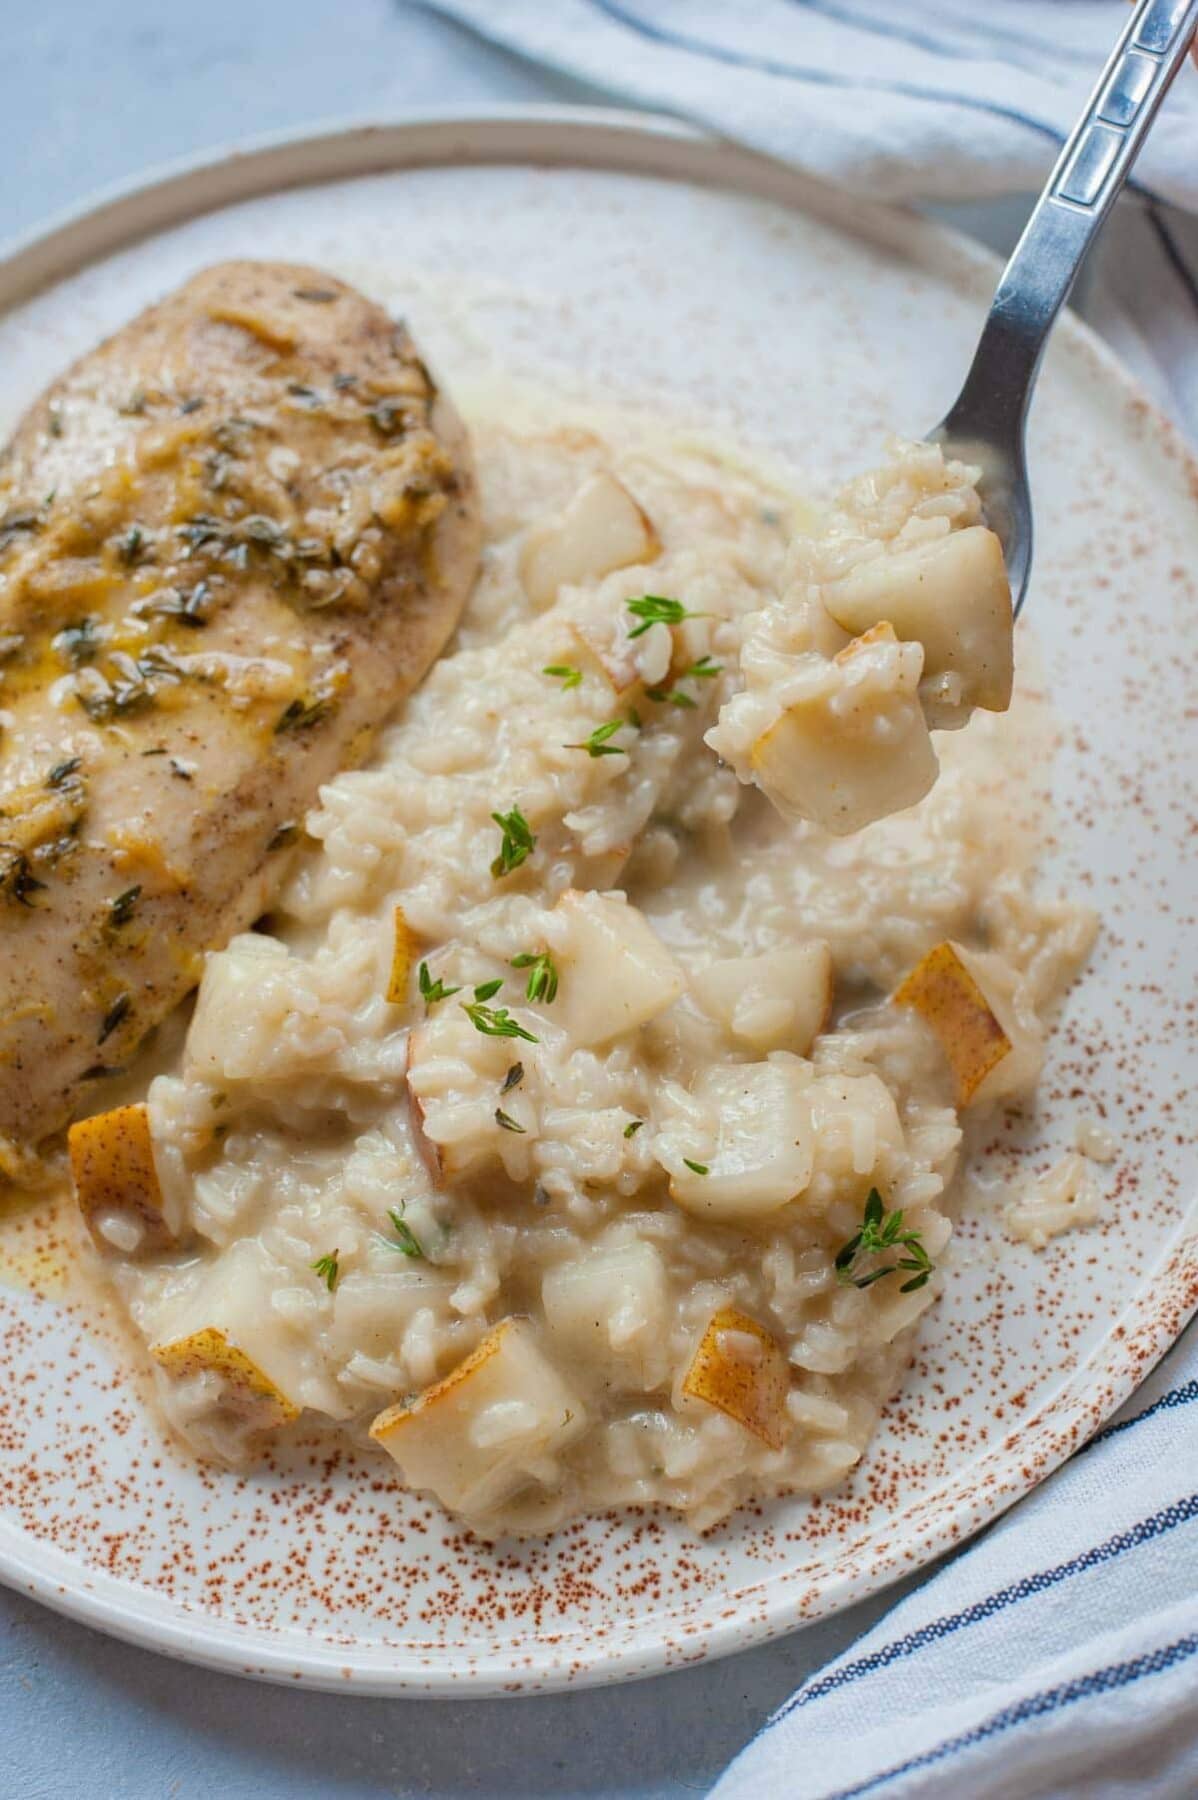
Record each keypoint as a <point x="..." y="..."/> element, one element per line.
<point x="688" y="276"/>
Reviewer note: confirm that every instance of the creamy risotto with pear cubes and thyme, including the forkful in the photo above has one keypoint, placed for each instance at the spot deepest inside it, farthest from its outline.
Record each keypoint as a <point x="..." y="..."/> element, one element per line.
<point x="584" y="1129"/>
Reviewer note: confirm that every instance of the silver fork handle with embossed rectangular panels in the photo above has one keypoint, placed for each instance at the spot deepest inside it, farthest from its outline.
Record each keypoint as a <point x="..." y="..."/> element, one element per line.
<point x="1071" y="211"/>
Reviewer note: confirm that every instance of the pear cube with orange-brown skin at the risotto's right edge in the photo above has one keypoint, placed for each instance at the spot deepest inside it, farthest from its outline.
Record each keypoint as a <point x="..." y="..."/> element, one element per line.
<point x="967" y="998"/>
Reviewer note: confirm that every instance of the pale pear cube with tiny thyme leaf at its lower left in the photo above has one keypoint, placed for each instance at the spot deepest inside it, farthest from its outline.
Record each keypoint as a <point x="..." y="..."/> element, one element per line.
<point x="742" y="1144"/>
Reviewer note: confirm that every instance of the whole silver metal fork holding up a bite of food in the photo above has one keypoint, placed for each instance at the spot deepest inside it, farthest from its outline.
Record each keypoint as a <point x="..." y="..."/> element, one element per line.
<point x="987" y="424"/>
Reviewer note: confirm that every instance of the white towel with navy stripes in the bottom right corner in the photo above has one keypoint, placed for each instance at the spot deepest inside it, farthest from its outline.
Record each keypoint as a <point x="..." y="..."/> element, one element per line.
<point x="1055" y="1657"/>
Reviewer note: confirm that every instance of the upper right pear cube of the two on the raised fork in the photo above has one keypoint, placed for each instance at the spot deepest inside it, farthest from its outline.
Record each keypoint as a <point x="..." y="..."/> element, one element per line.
<point x="952" y="597"/>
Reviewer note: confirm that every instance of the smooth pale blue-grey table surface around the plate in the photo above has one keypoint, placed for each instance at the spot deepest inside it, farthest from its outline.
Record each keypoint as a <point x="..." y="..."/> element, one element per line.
<point x="91" y="96"/>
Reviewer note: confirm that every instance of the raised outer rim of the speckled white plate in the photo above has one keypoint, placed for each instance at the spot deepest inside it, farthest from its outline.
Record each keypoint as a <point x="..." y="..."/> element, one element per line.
<point x="1138" y="1338"/>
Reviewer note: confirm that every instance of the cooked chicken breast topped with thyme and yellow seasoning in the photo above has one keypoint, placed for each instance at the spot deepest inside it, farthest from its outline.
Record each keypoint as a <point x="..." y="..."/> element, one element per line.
<point x="231" y="541"/>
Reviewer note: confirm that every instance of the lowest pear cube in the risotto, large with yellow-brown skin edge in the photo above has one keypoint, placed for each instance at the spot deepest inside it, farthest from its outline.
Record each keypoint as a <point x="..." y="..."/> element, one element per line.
<point x="490" y="1428"/>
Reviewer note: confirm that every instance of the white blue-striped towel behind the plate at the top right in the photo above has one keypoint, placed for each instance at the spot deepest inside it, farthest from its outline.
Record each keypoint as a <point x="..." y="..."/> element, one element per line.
<point x="907" y="100"/>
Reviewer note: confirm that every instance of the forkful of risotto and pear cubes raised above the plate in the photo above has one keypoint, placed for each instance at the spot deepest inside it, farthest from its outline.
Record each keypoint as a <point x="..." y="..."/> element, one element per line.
<point x="895" y="622"/>
